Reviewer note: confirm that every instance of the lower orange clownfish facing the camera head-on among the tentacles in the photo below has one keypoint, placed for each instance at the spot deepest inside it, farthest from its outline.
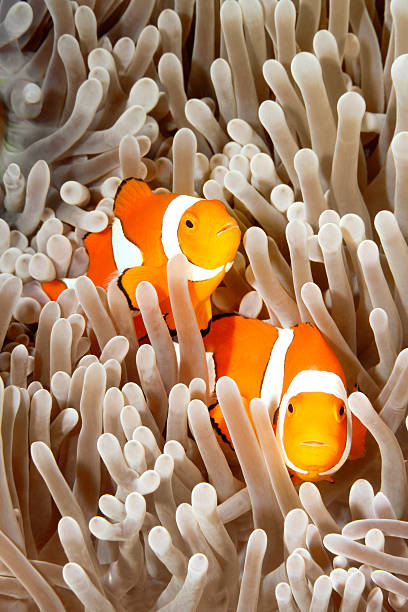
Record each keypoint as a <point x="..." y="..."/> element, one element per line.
<point x="301" y="381"/>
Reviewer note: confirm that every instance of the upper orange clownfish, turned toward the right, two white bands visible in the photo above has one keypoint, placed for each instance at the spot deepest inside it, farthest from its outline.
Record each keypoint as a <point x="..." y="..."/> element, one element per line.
<point x="147" y="230"/>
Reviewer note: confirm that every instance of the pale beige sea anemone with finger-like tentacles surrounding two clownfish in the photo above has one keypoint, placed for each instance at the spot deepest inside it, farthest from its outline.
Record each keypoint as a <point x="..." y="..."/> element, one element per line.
<point x="114" y="491"/>
